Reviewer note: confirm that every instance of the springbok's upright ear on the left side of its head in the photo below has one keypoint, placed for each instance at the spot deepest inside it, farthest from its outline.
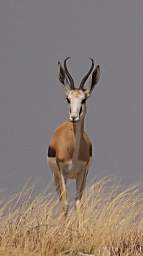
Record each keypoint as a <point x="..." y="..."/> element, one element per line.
<point x="62" y="78"/>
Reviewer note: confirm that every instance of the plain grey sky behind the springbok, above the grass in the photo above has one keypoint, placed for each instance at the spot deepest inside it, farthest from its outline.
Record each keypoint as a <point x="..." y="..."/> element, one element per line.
<point x="34" y="36"/>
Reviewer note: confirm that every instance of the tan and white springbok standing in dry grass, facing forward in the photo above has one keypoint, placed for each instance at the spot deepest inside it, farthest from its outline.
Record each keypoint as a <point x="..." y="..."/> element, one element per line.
<point x="70" y="148"/>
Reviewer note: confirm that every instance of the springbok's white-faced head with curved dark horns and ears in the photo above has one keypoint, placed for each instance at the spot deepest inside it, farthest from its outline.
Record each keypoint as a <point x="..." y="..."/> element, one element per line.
<point x="76" y="97"/>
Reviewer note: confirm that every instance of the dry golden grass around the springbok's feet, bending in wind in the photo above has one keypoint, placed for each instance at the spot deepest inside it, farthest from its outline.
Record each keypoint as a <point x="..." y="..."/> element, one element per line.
<point x="110" y="222"/>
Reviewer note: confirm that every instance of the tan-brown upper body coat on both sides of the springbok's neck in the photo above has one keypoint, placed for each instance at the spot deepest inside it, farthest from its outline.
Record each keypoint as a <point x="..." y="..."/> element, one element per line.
<point x="62" y="144"/>
